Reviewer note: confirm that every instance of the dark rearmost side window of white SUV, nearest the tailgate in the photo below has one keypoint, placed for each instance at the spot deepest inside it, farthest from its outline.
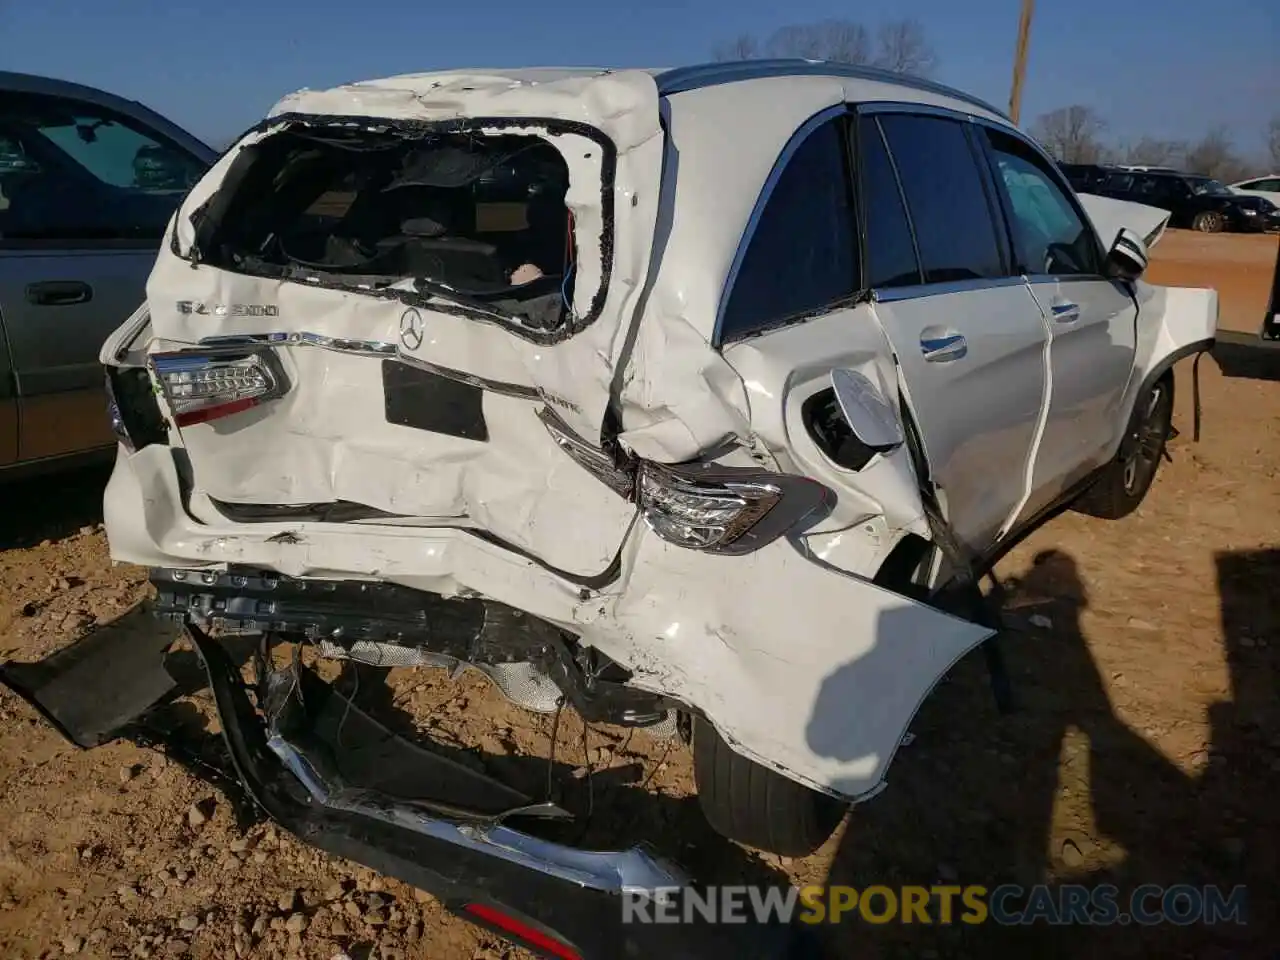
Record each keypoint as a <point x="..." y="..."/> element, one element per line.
<point x="803" y="255"/>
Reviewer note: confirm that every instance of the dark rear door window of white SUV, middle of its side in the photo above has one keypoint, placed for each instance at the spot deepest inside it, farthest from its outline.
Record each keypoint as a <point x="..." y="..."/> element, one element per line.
<point x="947" y="198"/>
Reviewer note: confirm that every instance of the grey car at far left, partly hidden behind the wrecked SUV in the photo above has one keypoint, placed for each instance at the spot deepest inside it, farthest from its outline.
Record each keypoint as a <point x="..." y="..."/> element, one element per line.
<point x="88" y="185"/>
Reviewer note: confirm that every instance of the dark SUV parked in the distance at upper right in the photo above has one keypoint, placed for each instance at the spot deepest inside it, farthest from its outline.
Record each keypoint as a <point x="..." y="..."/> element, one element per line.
<point x="1197" y="203"/>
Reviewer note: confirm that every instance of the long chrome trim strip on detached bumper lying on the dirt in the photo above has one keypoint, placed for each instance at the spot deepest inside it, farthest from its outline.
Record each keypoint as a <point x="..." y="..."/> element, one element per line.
<point x="611" y="872"/>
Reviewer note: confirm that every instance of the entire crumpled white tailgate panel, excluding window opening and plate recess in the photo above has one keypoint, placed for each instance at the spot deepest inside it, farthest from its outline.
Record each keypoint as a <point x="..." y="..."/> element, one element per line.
<point x="328" y="438"/>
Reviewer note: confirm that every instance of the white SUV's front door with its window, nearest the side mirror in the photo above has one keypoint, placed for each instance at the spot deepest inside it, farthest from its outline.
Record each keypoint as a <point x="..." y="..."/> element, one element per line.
<point x="1092" y="321"/>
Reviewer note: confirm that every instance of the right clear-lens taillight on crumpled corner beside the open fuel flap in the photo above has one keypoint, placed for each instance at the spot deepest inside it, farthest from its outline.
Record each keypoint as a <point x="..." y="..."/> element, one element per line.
<point x="725" y="510"/>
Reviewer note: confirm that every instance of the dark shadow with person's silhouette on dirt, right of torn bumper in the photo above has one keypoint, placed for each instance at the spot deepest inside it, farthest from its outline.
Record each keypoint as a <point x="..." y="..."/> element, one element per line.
<point x="973" y="801"/>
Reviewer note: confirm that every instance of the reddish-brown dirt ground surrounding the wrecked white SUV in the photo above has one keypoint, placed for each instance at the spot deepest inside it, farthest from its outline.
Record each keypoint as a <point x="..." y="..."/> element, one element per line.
<point x="1145" y="749"/>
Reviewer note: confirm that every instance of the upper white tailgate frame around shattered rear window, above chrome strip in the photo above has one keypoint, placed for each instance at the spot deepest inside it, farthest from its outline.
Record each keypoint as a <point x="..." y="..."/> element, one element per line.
<point x="614" y="208"/>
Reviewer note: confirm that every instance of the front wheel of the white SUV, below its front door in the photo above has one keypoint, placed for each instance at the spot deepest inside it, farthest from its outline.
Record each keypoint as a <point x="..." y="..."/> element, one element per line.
<point x="1124" y="482"/>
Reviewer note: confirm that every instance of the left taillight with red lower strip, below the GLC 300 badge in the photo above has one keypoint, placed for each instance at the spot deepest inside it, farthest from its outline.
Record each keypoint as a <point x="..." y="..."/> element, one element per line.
<point x="203" y="387"/>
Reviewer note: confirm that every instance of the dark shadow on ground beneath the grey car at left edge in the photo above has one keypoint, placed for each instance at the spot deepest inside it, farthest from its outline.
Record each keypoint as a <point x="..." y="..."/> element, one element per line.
<point x="52" y="508"/>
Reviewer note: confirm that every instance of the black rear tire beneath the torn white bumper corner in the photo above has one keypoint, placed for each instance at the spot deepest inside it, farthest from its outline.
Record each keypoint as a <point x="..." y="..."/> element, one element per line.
<point x="755" y="806"/>
